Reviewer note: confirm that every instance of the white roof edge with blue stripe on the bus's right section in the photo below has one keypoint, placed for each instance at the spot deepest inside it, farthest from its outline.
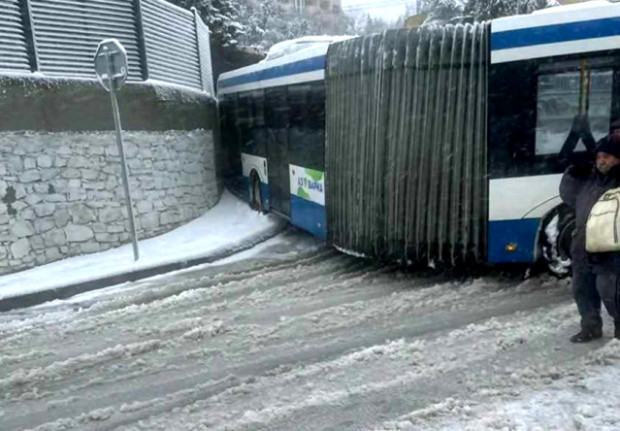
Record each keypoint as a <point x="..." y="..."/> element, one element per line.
<point x="586" y="27"/>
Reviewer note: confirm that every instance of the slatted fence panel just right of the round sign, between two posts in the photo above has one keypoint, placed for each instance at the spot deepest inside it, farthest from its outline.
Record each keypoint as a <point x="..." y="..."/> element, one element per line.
<point x="171" y="43"/>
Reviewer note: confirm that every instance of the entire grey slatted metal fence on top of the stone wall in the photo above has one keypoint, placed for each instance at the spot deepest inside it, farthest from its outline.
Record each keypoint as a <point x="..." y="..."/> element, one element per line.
<point x="59" y="38"/>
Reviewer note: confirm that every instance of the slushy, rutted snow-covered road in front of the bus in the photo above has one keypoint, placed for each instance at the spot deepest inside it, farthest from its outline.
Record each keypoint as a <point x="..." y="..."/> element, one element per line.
<point x="292" y="336"/>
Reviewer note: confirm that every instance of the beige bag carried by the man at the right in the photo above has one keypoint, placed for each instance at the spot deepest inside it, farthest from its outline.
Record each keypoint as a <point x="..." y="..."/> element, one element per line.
<point x="603" y="227"/>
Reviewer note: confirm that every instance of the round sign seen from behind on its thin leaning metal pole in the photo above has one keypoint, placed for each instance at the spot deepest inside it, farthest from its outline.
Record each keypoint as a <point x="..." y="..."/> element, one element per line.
<point x="111" y="68"/>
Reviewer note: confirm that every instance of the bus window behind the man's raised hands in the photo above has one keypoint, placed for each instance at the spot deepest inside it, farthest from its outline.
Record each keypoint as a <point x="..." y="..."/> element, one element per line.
<point x="562" y="96"/>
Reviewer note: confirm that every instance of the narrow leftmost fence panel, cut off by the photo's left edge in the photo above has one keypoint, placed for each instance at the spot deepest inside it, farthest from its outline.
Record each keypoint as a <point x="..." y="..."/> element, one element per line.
<point x="13" y="44"/>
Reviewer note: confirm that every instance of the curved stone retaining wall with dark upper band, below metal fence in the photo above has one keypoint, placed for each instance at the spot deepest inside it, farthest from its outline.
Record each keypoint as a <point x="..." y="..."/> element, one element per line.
<point x="61" y="190"/>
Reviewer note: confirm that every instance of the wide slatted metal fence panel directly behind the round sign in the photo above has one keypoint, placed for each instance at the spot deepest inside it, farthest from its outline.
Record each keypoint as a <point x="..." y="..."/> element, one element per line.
<point x="68" y="32"/>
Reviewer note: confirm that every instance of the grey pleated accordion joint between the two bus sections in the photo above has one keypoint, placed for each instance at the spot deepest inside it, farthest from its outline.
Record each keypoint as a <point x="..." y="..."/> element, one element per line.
<point x="406" y="125"/>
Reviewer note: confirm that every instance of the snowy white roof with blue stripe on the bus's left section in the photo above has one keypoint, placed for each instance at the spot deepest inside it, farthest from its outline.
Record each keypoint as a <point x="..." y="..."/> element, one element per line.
<point x="296" y="61"/>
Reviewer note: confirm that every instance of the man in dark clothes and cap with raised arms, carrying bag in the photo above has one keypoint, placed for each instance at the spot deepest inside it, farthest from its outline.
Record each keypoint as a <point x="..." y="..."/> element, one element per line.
<point x="596" y="277"/>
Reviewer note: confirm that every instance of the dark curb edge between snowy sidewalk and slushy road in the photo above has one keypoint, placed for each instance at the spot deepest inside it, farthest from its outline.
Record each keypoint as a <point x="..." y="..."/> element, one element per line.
<point x="70" y="290"/>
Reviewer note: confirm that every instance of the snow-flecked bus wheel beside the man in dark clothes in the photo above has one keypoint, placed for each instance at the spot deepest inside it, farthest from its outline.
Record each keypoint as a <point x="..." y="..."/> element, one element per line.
<point x="556" y="237"/>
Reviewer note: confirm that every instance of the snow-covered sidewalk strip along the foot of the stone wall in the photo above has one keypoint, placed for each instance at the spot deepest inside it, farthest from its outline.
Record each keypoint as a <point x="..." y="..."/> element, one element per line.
<point x="228" y="225"/>
